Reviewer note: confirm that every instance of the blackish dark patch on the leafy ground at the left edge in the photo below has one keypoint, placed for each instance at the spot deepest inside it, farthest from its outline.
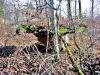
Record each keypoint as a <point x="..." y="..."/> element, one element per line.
<point x="6" y="50"/>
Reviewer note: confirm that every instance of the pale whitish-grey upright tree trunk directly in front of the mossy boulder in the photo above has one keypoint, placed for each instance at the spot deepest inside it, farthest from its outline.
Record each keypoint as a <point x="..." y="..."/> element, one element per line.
<point x="54" y="21"/>
